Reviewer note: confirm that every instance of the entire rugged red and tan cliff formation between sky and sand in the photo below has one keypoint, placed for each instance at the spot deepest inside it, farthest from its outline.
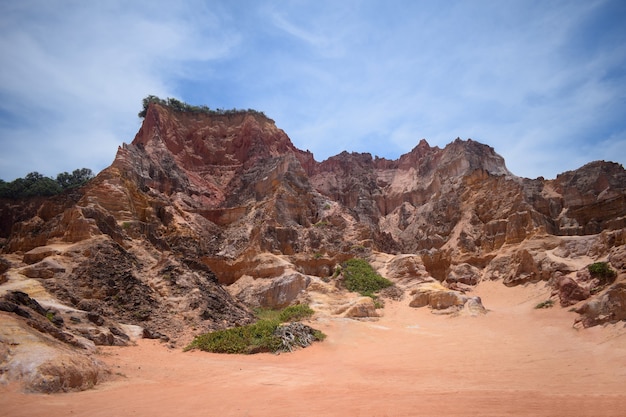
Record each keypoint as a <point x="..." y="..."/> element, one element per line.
<point x="197" y="202"/>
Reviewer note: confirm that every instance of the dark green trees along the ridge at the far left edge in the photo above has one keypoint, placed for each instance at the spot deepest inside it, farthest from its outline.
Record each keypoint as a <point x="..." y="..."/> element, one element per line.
<point x="35" y="184"/>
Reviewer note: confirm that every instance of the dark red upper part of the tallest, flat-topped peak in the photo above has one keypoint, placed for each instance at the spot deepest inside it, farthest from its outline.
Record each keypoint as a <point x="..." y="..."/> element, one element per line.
<point x="199" y="158"/>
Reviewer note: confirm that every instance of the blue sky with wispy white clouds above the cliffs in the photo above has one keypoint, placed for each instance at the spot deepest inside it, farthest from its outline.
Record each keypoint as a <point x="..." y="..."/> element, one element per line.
<point x="542" y="82"/>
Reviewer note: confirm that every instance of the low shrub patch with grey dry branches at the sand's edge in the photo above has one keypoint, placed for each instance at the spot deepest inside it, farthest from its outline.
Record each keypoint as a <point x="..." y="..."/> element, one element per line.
<point x="266" y="335"/>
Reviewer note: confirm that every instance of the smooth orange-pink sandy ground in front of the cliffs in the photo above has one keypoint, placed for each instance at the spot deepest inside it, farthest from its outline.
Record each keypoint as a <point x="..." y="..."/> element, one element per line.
<point x="515" y="361"/>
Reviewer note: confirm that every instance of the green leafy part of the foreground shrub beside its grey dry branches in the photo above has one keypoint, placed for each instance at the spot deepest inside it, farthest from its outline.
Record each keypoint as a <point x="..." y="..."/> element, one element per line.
<point x="253" y="338"/>
